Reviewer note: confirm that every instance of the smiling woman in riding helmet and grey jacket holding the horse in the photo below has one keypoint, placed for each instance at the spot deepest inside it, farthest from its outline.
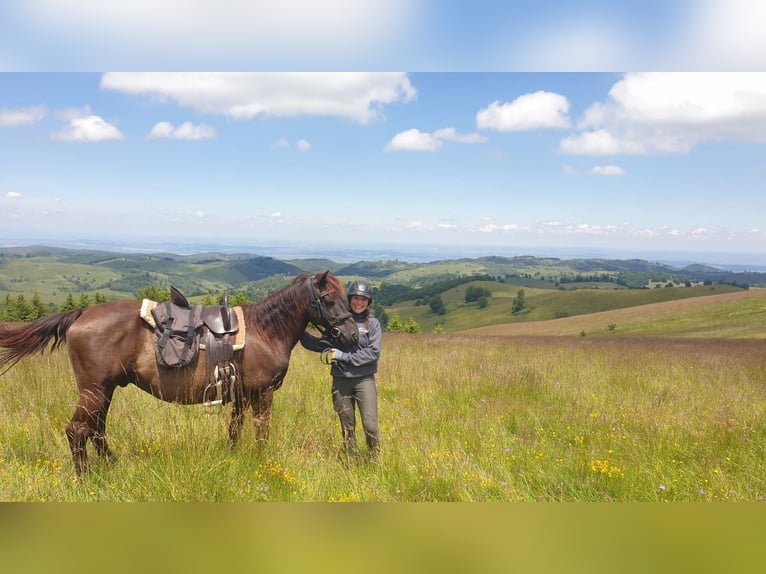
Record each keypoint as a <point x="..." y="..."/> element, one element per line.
<point x="353" y="371"/>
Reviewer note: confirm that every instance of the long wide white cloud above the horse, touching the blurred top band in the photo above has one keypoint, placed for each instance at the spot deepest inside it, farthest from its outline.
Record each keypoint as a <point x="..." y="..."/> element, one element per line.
<point x="243" y="96"/>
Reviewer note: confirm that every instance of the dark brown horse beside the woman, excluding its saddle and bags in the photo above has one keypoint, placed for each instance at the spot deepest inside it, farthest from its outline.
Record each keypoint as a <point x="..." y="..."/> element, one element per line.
<point x="111" y="346"/>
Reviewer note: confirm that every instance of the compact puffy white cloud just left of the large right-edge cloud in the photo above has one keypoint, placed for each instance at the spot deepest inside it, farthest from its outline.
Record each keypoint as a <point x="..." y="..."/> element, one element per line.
<point x="527" y="112"/>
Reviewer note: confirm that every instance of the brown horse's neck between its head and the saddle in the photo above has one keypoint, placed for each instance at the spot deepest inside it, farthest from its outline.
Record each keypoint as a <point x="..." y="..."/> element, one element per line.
<point x="283" y="315"/>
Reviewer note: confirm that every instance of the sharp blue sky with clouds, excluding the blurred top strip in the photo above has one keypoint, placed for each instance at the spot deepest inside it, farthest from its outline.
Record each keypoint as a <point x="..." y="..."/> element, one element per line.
<point x="634" y="162"/>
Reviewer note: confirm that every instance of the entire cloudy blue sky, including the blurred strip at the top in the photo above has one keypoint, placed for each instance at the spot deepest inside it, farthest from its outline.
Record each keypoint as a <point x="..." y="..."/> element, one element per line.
<point x="510" y="137"/>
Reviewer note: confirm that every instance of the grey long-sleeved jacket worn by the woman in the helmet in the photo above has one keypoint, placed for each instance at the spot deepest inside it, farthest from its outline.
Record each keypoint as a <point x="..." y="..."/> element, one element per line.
<point x="359" y="360"/>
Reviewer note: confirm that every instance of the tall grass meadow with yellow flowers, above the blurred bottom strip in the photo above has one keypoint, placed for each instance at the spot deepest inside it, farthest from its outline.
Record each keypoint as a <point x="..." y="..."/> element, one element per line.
<point x="462" y="419"/>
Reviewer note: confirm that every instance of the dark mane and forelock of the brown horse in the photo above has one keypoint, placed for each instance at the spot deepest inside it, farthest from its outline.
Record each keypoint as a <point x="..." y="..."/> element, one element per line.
<point x="269" y="315"/>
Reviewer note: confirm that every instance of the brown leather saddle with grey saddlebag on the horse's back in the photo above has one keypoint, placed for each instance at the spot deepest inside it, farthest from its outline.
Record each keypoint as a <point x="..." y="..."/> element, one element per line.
<point x="182" y="329"/>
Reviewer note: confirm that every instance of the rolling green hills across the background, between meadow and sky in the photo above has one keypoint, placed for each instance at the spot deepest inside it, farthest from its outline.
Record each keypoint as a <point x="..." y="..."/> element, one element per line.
<point x="556" y="290"/>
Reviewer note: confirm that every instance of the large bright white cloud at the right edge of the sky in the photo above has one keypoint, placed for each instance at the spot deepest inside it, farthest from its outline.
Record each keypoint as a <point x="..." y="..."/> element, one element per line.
<point x="651" y="113"/>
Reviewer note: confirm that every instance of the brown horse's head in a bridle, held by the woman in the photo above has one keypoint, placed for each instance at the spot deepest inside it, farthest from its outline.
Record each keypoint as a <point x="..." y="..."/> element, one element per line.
<point x="329" y="309"/>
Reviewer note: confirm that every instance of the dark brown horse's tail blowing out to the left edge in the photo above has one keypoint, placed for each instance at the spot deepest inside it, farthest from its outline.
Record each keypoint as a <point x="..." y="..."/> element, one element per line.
<point x="18" y="342"/>
